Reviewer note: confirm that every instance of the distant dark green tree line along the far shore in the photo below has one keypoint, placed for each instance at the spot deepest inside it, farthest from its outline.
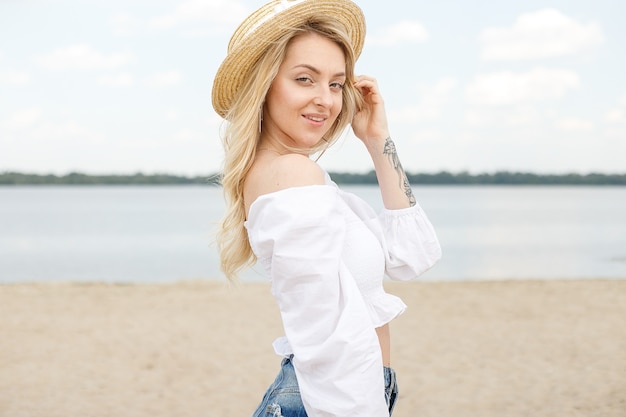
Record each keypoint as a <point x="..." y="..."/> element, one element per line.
<point x="440" y="178"/>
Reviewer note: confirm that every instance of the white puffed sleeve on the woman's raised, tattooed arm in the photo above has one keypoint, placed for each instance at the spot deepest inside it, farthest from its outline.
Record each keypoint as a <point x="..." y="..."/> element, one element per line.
<point x="412" y="246"/>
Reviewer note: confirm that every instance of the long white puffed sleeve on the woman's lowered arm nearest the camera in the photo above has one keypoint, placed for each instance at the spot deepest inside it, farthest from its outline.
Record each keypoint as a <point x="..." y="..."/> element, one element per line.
<point x="298" y="236"/>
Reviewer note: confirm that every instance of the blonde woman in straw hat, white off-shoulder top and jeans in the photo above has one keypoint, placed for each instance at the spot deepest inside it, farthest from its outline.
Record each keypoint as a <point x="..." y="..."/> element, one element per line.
<point x="287" y="90"/>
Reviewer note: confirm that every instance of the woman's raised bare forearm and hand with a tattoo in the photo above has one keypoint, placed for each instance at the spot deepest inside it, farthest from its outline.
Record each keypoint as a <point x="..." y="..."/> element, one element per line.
<point x="370" y="125"/>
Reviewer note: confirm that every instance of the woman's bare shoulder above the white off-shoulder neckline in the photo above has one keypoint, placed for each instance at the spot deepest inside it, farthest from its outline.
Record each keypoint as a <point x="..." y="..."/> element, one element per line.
<point x="279" y="173"/>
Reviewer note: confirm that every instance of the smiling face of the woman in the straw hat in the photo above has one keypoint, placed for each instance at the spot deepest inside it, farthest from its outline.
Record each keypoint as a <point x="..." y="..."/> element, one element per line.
<point x="305" y="98"/>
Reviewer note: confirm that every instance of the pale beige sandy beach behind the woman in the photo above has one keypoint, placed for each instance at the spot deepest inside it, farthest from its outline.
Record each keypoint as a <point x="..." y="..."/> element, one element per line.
<point x="522" y="348"/>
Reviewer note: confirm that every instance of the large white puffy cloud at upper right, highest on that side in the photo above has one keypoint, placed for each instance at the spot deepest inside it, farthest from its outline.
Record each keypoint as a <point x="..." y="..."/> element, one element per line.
<point x="544" y="34"/>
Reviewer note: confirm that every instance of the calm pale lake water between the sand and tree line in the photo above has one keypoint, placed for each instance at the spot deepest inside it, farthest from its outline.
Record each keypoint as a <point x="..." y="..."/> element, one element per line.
<point x="164" y="234"/>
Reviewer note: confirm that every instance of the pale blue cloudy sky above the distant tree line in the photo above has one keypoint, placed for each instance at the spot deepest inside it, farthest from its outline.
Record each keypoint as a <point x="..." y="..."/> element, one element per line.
<point x="119" y="87"/>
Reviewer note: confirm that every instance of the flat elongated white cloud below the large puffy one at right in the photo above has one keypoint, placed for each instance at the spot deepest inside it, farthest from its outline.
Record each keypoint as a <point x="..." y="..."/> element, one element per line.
<point x="506" y="88"/>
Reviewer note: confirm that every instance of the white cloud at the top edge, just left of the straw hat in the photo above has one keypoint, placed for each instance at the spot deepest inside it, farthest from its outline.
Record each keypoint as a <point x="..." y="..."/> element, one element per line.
<point x="216" y="11"/>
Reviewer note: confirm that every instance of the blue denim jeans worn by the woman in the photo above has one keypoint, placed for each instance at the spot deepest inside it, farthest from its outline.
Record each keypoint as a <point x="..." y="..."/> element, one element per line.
<point x="282" y="398"/>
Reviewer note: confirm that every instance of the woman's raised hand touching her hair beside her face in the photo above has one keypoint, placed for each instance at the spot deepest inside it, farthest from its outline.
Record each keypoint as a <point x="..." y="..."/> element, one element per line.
<point x="370" y="123"/>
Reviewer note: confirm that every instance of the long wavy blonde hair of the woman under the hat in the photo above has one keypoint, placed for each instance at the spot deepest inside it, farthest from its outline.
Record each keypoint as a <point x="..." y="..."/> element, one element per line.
<point x="242" y="134"/>
